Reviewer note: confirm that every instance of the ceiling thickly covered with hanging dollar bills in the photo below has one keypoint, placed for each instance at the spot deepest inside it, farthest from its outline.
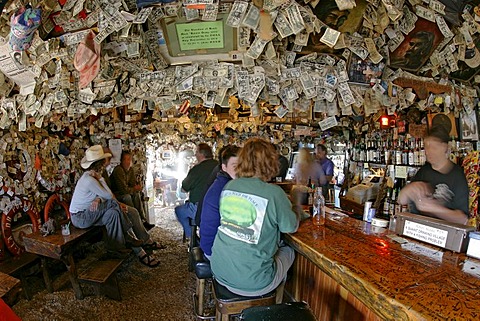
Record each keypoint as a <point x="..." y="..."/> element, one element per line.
<point x="201" y="66"/>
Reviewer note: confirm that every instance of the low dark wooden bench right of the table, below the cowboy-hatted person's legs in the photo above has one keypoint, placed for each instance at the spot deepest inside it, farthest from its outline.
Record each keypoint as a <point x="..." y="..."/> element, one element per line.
<point x="102" y="274"/>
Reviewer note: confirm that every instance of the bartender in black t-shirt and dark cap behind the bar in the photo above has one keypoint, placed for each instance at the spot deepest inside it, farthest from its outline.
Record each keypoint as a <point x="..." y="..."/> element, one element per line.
<point x="439" y="189"/>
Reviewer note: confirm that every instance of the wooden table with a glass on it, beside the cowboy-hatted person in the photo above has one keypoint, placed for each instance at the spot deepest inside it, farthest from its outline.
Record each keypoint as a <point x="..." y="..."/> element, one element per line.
<point x="60" y="247"/>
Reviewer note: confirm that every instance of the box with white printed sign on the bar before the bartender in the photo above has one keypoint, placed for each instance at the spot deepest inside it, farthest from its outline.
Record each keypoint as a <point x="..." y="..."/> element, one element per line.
<point x="450" y="236"/>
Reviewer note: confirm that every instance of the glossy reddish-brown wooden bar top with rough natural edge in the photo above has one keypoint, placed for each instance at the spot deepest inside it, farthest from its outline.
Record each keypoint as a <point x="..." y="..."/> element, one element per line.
<point x="411" y="281"/>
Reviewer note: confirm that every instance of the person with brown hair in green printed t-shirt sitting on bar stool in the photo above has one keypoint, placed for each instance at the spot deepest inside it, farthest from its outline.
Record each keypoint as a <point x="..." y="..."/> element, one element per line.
<point x="248" y="256"/>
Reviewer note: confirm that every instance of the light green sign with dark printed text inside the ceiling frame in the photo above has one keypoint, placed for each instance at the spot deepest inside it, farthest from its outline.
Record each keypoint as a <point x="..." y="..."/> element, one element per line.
<point x="200" y="35"/>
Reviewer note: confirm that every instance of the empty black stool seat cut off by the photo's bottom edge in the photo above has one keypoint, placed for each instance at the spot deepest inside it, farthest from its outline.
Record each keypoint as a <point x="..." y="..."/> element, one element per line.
<point x="291" y="311"/>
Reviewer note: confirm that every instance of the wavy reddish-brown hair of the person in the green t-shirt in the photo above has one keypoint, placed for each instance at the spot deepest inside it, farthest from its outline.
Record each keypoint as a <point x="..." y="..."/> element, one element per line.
<point x="257" y="158"/>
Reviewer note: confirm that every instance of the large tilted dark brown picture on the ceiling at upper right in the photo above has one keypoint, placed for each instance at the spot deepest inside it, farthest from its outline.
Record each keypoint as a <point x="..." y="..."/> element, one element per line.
<point x="417" y="46"/>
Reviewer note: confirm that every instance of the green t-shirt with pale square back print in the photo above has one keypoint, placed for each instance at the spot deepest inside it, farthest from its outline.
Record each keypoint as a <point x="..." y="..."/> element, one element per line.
<point x="253" y="214"/>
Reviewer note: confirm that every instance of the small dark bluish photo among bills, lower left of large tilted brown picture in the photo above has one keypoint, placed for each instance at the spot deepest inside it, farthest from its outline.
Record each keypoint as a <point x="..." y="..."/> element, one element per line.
<point x="363" y="71"/>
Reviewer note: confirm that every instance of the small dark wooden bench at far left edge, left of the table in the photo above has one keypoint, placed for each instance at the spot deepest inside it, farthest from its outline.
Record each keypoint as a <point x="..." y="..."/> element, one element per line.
<point x="18" y="267"/>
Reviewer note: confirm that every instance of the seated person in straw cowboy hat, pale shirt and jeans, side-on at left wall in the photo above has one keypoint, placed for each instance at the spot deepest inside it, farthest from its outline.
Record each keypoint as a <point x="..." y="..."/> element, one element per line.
<point x="94" y="204"/>
